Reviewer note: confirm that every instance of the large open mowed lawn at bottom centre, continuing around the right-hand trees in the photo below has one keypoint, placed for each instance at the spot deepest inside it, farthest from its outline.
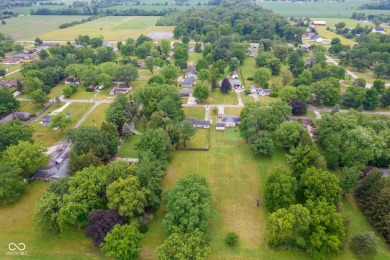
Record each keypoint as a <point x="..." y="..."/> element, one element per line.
<point x="237" y="178"/>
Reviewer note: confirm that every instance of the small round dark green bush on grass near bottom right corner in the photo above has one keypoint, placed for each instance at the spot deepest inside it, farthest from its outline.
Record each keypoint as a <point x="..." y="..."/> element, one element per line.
<point x="364" y="244"/>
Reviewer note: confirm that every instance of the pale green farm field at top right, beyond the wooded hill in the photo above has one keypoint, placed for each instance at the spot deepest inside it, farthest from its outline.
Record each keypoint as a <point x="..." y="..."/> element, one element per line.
<point x="317" y="9"/>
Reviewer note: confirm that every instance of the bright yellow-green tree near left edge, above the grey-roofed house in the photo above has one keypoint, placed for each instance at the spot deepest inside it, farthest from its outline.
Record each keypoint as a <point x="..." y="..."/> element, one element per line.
<point x="27" y="156"/>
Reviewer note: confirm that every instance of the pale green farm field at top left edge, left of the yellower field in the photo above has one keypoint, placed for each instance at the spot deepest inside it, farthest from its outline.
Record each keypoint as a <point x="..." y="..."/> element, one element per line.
<point x="30" y="26"/>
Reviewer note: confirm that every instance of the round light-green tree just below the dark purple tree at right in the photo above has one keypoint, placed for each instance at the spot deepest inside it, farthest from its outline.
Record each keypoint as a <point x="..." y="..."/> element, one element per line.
<point x="289" y="132"/>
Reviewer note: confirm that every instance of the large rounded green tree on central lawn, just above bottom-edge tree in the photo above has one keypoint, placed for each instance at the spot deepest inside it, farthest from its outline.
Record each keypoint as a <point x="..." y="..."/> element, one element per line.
<point x="188" y="205"/>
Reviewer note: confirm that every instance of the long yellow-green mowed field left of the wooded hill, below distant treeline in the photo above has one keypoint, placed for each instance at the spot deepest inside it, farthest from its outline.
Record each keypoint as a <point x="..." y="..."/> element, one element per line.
<point x="111" y="28"/>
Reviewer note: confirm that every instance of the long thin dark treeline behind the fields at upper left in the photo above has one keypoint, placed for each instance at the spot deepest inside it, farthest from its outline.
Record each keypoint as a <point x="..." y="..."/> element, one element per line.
<point x="107" y="12"/>
